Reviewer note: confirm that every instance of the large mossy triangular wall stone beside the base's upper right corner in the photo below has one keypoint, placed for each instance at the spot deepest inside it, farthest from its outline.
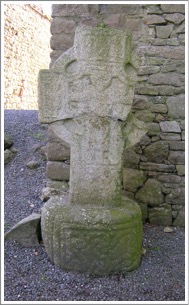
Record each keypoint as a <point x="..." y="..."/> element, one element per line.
<point x="151" y="193"/>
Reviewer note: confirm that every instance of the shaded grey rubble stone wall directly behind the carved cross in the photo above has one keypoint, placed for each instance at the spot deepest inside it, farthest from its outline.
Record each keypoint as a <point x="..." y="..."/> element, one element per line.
<point x="154" y="169"/>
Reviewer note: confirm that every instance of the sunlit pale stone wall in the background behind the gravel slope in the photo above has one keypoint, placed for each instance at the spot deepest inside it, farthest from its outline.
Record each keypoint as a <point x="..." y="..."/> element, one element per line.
<point x="26" y="51"/>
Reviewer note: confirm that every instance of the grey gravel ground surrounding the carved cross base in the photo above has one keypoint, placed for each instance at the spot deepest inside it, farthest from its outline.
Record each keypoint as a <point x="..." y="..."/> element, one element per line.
<point x="30" y="276"/>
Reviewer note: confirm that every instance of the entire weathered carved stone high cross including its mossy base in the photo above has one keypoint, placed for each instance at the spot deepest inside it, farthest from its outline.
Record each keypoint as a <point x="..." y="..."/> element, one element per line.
<point x="86" y="98"/>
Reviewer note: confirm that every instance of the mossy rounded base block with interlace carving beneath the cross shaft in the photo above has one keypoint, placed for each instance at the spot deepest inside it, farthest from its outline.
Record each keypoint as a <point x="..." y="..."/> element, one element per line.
<point x="92" y="239"/>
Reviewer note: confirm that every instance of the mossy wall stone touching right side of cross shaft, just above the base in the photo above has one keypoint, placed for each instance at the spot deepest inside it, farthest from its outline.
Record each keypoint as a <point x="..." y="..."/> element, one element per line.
<point x="133" y="179"/>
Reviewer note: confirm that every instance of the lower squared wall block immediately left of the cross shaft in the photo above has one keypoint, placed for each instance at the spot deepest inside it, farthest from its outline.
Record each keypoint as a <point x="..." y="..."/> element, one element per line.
<point x="58" y="170"/>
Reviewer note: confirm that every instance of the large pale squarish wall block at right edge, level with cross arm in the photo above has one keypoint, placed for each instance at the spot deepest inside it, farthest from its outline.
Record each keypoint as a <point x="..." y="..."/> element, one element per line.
<point x="176" y="106"/>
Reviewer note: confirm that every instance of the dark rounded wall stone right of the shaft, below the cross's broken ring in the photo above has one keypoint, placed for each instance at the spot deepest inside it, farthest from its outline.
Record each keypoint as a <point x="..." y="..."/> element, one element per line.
<point x="157" y="152"/>
